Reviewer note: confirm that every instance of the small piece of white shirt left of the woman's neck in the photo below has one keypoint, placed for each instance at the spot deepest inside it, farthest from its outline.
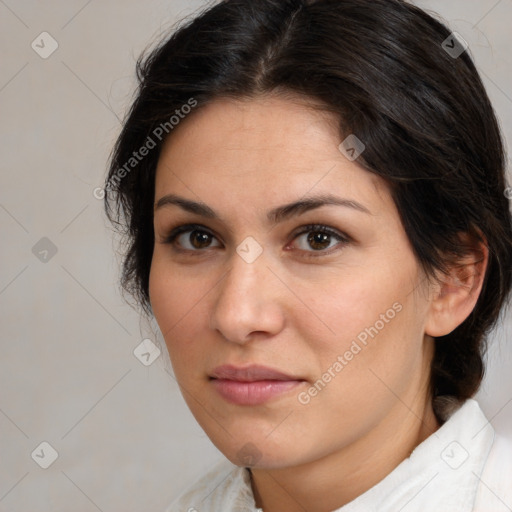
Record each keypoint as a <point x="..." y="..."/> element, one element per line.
<point x="223" y="487"/>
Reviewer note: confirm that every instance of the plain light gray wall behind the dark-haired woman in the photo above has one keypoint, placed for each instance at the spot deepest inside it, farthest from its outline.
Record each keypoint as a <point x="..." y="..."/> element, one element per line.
<point x="68" y="376"/>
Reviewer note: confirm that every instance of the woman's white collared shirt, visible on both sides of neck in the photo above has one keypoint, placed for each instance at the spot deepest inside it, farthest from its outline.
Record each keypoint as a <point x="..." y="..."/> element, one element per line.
<point x="462" y="467"/>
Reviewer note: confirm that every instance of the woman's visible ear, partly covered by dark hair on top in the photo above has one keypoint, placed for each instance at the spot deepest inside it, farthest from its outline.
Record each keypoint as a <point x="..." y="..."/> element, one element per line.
<point x="455" y="295"/>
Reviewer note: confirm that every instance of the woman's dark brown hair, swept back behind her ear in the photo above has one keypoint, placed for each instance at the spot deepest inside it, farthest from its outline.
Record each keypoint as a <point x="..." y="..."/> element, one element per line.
<point x="422" y="112"/>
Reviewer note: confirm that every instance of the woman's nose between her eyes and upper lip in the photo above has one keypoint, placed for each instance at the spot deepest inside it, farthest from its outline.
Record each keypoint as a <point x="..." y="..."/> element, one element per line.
<point x="248" y="301"/>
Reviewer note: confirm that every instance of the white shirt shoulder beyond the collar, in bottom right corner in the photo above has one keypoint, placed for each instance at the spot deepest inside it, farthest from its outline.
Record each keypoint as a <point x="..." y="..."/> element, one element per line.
<point x="495" y="485"/>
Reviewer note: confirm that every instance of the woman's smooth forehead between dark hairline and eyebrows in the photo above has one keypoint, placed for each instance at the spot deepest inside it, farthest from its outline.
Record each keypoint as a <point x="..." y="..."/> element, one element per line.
<point x="260" y="151"/>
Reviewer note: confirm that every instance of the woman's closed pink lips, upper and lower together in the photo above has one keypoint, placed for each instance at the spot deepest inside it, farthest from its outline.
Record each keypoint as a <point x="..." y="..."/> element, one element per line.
<point x="251" y="385"/>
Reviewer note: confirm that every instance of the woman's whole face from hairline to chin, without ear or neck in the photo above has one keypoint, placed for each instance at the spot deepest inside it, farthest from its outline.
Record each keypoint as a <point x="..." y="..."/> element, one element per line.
<point x="338" y="310"/>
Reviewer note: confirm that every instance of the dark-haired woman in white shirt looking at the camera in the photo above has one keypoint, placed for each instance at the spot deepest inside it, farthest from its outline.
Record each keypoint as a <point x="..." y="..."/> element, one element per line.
<point x="314" y="201"/>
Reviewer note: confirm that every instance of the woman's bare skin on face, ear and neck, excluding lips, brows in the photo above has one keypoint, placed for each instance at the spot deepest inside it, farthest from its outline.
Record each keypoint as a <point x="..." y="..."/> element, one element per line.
<point x="294" y="313"/>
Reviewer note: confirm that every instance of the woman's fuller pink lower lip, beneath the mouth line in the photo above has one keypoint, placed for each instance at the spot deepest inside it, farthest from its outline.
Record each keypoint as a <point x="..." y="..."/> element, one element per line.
<point x="252" y="393"/>
